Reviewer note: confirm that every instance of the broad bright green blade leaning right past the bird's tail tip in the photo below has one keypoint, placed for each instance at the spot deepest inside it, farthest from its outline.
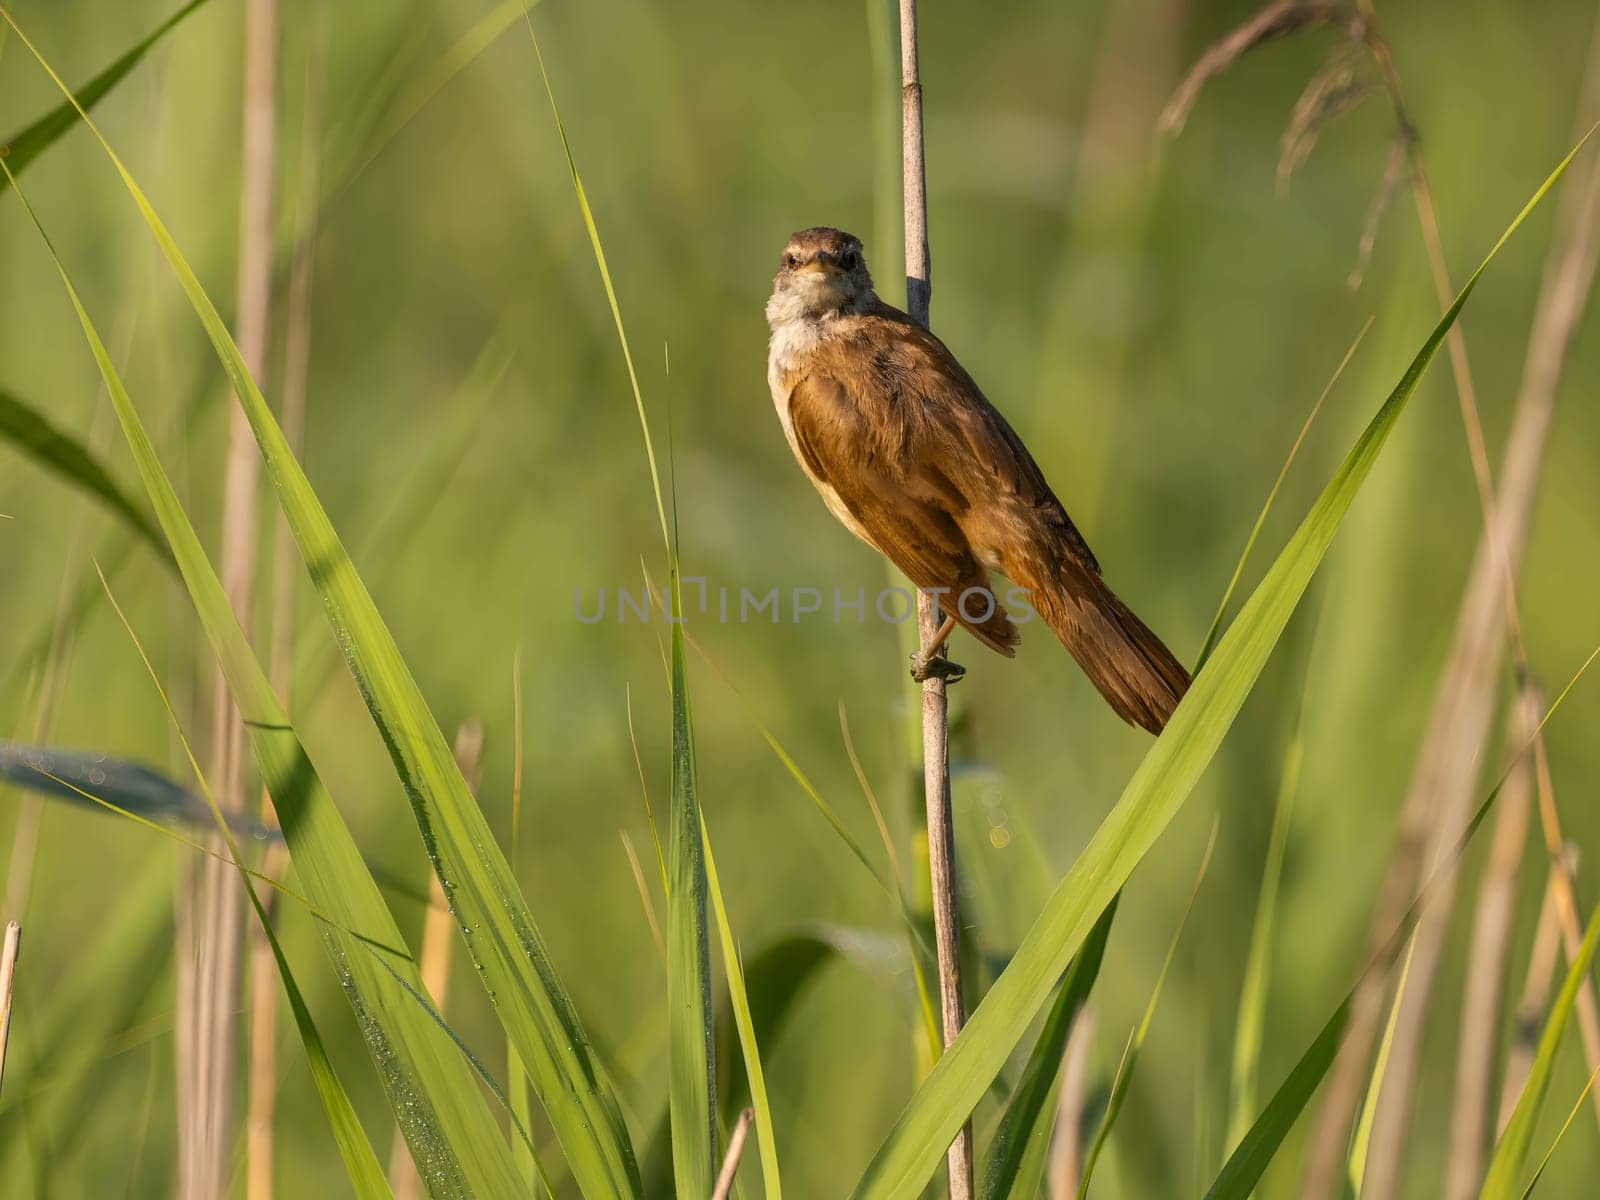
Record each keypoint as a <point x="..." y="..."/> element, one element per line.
<point x="1170" y="770"/>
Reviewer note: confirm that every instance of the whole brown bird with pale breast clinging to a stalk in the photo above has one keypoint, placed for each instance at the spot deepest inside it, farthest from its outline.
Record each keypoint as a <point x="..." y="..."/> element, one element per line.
<point x="911" y="457"/>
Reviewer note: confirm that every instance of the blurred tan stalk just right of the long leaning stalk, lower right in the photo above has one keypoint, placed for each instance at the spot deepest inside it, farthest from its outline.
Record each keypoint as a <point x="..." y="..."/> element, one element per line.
<point x="1492" y="927"/>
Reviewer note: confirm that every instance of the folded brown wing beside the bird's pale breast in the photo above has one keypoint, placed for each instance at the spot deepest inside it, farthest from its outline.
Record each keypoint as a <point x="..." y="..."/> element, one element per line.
<point x="855" y="441"/>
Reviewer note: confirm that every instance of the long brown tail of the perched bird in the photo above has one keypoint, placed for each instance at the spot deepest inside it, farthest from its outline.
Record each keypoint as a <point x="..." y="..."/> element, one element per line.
<point x="1124" y="660"/>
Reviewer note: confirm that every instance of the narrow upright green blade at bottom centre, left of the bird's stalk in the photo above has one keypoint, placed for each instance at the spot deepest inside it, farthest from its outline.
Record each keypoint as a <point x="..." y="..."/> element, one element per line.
<point x="690" y="1030"/>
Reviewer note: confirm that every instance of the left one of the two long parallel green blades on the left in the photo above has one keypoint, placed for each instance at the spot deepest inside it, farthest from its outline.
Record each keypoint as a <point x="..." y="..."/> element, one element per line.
<point x="430" y="1082"/>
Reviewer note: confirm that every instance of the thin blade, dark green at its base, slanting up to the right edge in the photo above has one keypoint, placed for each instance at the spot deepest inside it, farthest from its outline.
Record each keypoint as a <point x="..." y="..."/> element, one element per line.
<point x="1249" y="1161"/>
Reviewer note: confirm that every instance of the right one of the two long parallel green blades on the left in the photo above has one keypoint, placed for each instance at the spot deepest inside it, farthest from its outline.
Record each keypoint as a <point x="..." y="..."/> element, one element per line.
<point x="500" y="932"/>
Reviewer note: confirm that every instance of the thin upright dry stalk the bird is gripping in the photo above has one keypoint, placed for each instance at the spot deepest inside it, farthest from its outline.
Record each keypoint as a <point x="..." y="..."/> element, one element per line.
<point x="935" y="711"/>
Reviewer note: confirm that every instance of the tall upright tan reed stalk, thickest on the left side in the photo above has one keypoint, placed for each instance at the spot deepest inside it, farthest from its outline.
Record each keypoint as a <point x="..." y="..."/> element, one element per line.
<point x="215" y="900"/>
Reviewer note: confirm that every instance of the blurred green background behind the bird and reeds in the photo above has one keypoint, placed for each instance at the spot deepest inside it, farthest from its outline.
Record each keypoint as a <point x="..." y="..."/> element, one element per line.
<point x="1153" y="316"/>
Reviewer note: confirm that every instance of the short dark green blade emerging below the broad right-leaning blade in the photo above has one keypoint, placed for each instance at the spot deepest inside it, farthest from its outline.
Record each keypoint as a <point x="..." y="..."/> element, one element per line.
<point x="1017" y="1158"/>
